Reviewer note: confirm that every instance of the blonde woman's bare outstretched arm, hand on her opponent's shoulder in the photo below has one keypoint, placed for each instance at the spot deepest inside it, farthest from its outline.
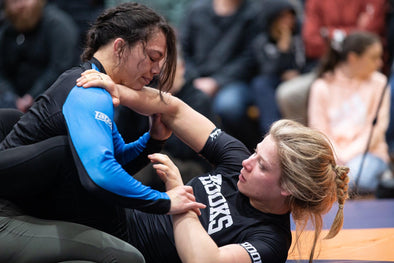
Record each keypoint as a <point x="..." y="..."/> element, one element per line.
<point x="187" y="124"/>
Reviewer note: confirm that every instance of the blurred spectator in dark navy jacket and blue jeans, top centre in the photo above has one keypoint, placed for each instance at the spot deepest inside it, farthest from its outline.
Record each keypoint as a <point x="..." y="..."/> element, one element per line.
<point x="215" y="37"/>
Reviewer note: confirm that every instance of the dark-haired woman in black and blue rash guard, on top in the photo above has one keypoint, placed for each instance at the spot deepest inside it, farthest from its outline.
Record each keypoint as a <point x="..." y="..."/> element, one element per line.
<point x="132" y="44"/>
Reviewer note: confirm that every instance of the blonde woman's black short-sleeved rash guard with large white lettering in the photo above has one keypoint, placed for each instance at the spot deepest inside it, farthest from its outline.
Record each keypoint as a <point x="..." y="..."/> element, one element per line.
<point x="228" y="219"/>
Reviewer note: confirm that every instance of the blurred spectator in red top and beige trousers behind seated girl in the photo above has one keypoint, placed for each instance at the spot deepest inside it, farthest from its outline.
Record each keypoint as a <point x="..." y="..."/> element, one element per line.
<point x="324" y="21"/>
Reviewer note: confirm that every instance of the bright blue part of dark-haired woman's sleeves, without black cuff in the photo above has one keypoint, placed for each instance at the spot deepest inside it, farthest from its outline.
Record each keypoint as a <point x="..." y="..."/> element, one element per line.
<point x="89" y="117"/>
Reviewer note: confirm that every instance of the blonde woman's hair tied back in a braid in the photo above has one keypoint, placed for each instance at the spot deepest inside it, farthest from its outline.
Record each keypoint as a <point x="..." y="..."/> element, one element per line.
<point x="311" y="176"/>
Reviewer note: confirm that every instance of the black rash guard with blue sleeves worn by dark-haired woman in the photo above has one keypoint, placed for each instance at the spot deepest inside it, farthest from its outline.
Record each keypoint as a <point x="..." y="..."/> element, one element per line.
<point x="100" y="155"/>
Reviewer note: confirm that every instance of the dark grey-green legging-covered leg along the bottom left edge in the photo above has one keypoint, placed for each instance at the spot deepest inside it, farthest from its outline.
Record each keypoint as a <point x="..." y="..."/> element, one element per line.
<point x="29" y="239"/>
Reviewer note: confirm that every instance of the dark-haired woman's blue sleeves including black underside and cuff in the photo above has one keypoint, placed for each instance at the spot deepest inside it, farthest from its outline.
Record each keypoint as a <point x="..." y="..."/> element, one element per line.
<point x="96" y="144"/>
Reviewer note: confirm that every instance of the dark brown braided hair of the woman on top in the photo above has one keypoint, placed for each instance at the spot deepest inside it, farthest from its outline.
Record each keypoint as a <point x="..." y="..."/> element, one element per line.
<point x="134" y="23"/>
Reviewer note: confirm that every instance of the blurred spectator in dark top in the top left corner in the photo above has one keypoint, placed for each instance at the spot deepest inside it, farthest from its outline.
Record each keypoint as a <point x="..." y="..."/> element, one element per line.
<point x="37" y="43"/>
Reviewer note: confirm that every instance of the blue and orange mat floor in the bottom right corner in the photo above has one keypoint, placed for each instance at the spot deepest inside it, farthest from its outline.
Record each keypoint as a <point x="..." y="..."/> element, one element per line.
<point x="367" y="234"/>
